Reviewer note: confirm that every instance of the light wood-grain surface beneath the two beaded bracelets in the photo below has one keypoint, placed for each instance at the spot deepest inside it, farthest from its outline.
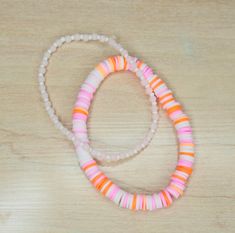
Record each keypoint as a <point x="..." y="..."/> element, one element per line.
<point x="190" y="43"/>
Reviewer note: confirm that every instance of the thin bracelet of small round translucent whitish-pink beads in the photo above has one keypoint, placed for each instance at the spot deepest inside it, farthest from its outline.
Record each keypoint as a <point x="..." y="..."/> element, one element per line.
<point x="132" y="63"/>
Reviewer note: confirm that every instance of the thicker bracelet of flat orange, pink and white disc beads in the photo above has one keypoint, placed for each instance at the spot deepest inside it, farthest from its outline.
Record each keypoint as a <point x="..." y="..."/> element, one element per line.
<point x="180" y="121"/>
